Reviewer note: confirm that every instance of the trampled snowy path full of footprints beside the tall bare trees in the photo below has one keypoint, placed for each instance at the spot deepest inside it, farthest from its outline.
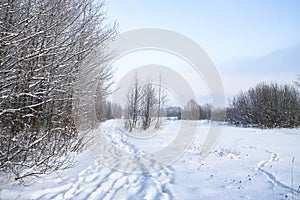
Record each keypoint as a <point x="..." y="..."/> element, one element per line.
<point x="96" y="181"/>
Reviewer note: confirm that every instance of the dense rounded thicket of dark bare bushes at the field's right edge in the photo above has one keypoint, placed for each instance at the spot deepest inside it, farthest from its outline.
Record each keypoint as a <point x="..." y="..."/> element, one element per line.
<point x="266" y="106"/>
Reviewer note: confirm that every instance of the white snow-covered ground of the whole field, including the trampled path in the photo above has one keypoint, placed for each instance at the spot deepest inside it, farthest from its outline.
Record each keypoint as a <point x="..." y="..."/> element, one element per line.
<point x="247" y="163"/>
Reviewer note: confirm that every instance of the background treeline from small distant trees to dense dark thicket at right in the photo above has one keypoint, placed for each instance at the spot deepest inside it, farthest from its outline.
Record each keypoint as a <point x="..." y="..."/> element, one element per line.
<point x="264" y="106"/>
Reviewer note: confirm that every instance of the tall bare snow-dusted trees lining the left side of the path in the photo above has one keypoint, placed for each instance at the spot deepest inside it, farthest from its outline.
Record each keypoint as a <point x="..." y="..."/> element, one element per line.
<point x="42" y="44"/>
